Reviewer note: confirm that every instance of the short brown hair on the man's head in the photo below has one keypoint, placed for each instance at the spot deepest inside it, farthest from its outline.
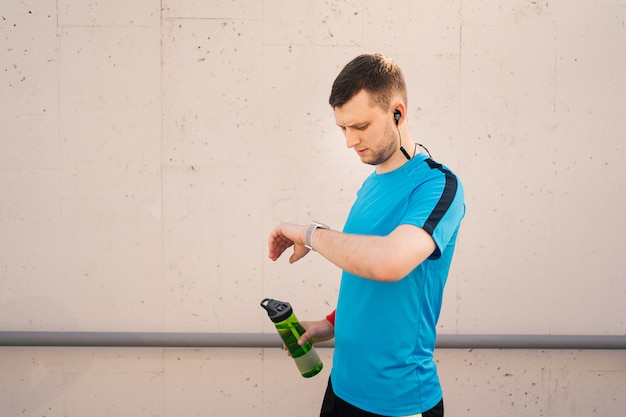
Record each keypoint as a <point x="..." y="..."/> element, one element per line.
<point x="375" y="73"/>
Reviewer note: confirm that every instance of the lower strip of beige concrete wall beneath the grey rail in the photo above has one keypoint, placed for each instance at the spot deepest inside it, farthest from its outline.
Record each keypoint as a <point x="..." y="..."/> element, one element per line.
<point x="61" y="382"/>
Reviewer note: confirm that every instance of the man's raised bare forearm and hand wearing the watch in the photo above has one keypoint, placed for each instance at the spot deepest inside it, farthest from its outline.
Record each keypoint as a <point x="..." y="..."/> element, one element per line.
<point x="380" y="258"/>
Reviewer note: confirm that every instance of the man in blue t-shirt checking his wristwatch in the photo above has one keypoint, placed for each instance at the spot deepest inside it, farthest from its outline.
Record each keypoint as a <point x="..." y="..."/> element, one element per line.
<point x="395" y="252"/>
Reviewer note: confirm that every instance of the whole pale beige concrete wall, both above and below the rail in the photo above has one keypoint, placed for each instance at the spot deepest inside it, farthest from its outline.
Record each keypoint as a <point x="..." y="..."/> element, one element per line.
<point x="147" y="148"/>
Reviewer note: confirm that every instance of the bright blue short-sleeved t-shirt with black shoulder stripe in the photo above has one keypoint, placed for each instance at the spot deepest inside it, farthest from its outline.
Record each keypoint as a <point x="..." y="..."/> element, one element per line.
<point x="385" y="332"/>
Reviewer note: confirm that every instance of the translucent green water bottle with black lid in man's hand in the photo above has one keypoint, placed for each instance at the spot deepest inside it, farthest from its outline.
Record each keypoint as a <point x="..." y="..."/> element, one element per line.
<point x="289" y="328"/>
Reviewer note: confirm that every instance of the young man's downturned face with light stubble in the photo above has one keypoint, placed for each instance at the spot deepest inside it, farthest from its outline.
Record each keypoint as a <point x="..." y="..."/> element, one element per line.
<point x="368" y="129"/>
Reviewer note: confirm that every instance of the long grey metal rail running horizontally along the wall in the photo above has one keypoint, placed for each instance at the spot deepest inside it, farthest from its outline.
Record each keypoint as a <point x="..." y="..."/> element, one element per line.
<point x="263" y="340"/>
